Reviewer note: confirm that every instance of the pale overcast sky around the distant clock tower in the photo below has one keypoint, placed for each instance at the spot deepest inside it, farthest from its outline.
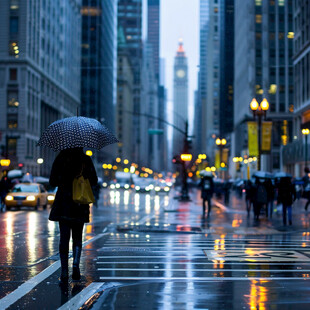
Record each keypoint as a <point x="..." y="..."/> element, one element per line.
<point x="180" y="19"/>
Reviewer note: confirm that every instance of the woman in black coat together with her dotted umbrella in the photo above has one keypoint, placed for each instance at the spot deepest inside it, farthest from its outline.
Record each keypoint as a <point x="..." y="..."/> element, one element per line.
<point x="69" y="136"/>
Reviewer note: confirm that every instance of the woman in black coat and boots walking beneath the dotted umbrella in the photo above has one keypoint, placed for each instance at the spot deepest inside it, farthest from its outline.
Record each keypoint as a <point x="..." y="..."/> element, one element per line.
<point x="71" y="216"/>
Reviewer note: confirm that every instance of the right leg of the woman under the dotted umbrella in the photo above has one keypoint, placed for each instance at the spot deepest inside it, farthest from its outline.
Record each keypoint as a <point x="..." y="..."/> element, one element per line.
<point x="77" y="231"/>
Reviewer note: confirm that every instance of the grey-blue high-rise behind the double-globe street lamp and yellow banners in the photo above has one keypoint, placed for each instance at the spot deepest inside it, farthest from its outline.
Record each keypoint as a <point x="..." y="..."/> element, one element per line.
<point x="263" y="69"/>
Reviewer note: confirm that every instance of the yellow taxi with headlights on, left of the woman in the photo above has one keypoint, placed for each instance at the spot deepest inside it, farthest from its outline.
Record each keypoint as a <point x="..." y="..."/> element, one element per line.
<point x="27" y="194"/>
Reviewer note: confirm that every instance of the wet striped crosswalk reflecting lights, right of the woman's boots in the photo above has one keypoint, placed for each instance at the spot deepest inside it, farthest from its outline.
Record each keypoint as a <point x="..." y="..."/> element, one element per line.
<point x="161" y="257"/>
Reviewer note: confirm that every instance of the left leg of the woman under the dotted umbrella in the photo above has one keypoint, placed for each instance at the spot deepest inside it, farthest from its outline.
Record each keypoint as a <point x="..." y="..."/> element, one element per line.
<point x="64" y="228"/>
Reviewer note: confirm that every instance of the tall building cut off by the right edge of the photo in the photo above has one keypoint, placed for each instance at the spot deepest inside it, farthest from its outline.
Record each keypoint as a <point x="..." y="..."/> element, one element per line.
<point x="293" y="155"/>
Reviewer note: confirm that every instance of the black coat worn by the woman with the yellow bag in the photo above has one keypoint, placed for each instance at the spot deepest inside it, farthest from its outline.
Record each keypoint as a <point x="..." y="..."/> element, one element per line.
<point x="67" y="165"/>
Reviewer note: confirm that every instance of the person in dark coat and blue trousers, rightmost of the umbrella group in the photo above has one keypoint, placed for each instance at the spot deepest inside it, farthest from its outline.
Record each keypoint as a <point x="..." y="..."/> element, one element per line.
<point x="286" y="196"/>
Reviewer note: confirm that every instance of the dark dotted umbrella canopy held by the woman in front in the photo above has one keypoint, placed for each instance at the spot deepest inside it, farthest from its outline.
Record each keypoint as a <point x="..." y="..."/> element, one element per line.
<point x="76" y="131"/>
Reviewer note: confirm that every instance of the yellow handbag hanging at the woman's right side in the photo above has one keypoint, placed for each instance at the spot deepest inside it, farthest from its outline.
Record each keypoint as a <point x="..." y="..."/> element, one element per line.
<point x="81" y="191"/>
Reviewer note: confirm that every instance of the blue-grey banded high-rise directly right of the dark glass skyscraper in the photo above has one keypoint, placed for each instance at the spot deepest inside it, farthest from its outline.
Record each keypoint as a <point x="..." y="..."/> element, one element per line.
<point x="130" y="19"/>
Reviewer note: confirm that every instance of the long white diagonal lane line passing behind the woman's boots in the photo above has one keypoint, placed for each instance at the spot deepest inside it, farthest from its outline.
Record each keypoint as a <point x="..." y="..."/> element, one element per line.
<point x="30" y="284"/>
